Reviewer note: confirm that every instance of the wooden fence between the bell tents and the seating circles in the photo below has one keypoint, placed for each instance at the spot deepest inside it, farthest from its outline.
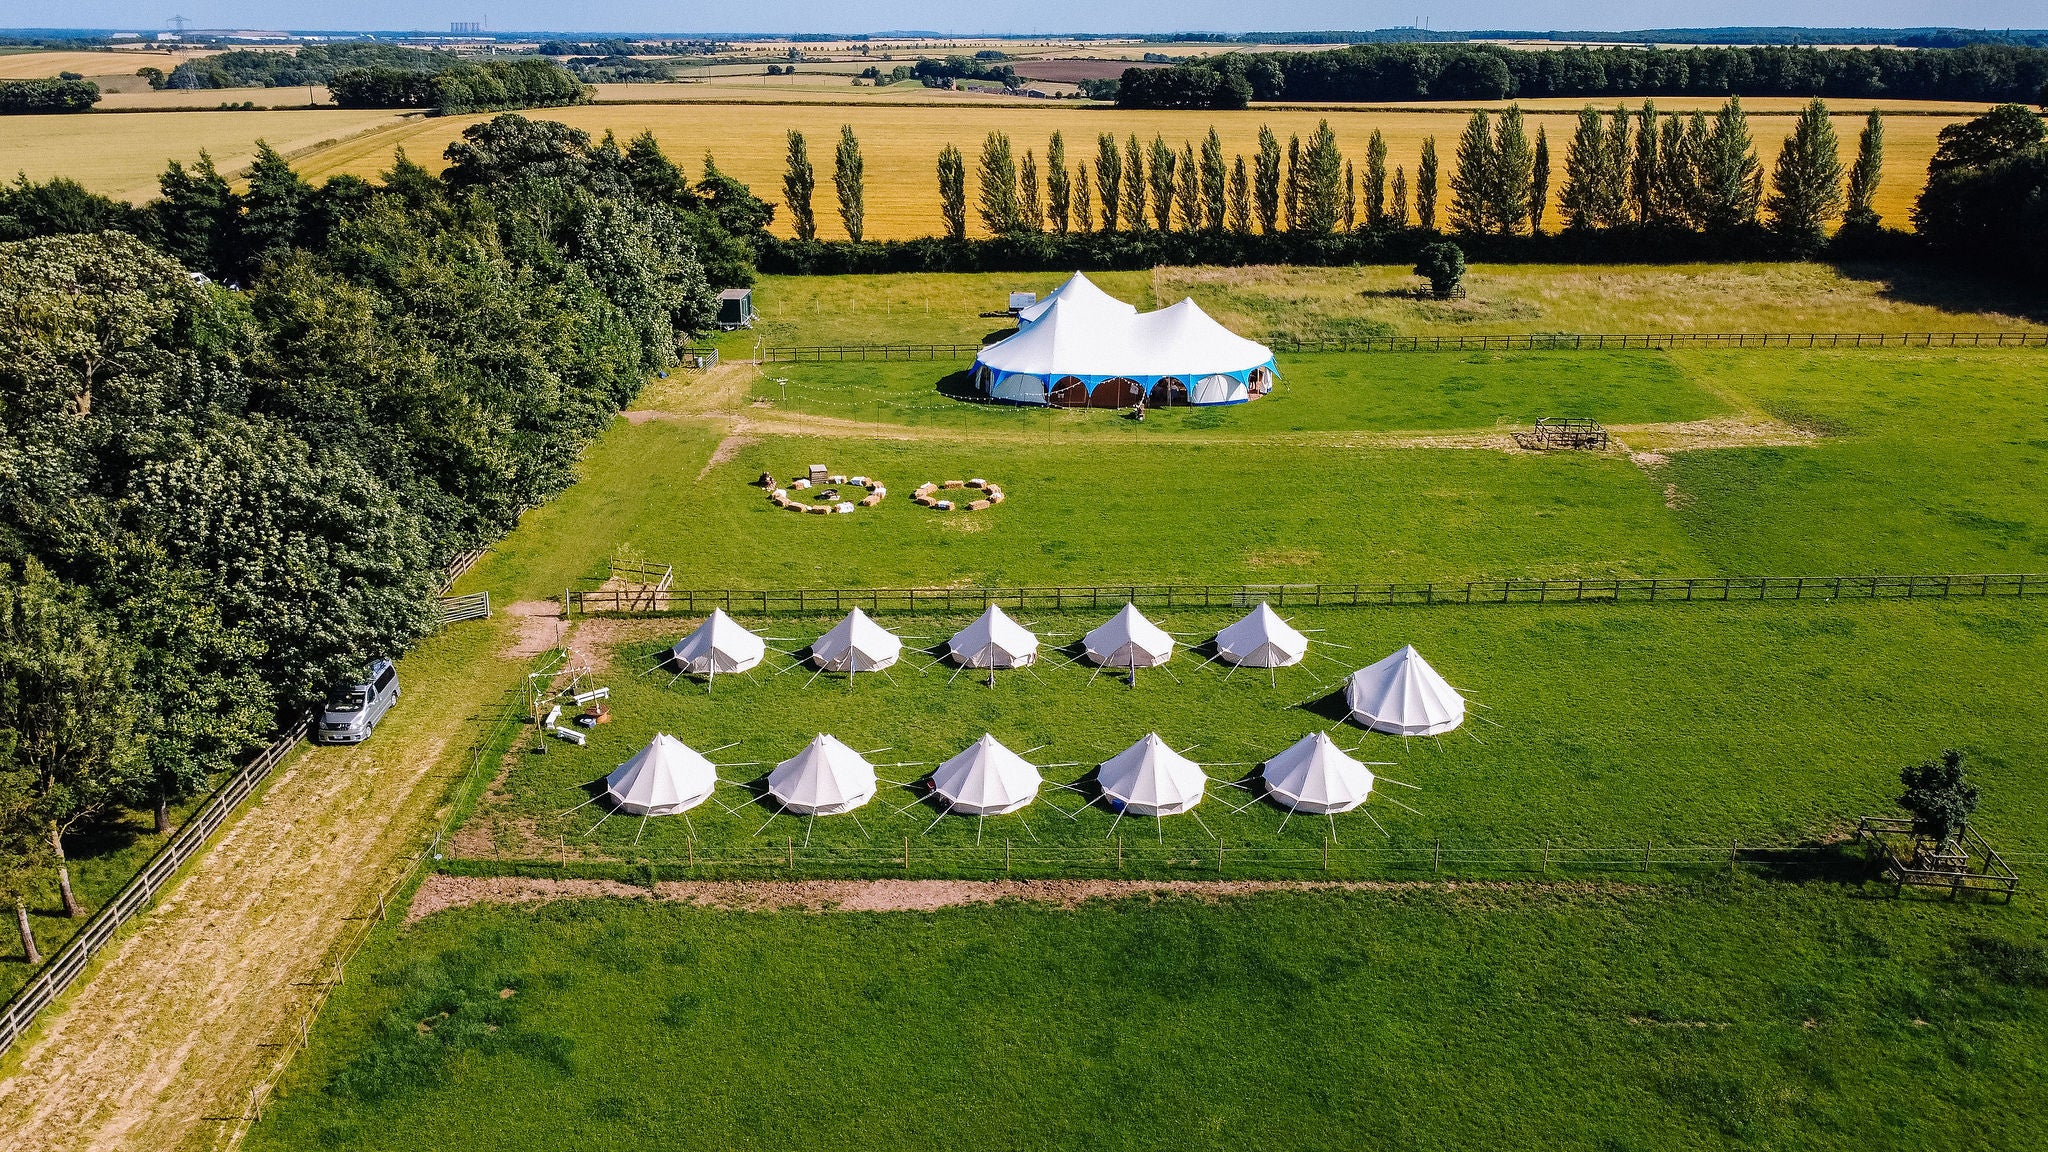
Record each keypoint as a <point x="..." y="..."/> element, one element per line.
<point x="1095" y="598"/>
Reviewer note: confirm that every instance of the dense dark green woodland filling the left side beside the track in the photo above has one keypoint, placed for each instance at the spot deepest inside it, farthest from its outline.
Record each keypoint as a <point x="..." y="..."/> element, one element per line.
<point x="216" y="505"/>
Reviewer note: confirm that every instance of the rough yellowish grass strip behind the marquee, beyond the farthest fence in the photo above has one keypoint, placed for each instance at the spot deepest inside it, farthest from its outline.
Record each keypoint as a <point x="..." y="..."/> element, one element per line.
<point x="1334" y="304"/>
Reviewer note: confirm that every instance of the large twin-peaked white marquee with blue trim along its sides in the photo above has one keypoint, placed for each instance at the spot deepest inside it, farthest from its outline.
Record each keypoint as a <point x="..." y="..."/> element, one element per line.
<point x="1082" y="347"/>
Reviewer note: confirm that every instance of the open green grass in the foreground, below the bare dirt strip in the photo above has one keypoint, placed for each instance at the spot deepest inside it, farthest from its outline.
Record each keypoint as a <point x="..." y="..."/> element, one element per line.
<point x="1734" y="1014"/>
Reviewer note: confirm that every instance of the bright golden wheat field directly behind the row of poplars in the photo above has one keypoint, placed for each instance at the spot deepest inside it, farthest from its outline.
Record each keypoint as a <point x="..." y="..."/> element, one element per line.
<point x="900" y="145"/>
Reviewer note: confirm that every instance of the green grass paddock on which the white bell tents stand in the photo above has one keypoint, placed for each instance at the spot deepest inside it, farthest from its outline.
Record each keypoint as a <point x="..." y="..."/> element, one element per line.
<point x="1797" y="721"/>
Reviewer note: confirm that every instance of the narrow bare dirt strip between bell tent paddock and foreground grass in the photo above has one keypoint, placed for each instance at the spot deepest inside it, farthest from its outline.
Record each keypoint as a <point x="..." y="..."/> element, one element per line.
<point x="443" y="893"/>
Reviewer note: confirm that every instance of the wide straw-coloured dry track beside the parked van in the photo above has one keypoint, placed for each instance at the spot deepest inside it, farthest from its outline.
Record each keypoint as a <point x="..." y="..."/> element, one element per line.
<point x="198" y="1001"/>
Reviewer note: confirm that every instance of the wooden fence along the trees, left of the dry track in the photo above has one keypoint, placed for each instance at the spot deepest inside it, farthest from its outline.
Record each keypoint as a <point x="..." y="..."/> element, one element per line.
<point x="142" y="889"/>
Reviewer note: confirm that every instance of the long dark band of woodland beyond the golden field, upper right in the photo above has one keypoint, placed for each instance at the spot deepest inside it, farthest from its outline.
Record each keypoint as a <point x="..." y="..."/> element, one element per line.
<point x="1492" y="73"/>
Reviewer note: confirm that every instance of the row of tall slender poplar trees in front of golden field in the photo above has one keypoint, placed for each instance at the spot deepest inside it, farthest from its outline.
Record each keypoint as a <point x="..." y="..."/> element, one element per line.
<point x="1621" y="169"/>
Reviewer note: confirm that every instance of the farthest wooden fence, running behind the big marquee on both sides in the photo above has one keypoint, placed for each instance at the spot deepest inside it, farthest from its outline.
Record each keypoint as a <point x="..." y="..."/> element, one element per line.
<point x="1496" y="343"/>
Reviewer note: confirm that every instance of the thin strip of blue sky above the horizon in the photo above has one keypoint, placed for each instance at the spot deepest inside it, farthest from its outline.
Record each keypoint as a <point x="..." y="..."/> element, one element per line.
<point x="1035" y="17"/>
